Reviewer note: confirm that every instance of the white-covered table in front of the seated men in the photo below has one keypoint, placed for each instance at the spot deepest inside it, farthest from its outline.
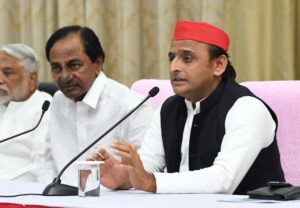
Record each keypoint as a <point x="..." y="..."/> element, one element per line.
<point x="132" y="199"/>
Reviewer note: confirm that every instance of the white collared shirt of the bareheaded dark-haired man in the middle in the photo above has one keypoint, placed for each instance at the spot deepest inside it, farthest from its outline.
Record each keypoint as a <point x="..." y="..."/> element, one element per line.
<point x="75" y="125"/>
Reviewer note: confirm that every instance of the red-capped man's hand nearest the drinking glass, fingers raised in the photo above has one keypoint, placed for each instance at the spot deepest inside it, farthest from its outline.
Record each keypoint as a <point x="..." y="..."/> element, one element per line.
<point x="111" y="175"/>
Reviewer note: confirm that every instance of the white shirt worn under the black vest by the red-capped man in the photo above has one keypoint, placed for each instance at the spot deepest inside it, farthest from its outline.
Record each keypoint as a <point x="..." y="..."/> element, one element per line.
<point x="249" y="128"/>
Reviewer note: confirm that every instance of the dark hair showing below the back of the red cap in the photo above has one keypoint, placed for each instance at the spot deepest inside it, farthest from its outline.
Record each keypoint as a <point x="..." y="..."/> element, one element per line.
<point x="214" y="52"/>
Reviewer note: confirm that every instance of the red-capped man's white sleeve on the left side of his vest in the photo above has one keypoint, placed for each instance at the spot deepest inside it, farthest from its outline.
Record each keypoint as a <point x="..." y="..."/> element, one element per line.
<point x="152" y="152"/>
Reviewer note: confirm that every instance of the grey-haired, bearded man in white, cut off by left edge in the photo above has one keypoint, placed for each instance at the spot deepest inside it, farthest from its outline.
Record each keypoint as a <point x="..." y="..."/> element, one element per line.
<point x="26" y="157"/>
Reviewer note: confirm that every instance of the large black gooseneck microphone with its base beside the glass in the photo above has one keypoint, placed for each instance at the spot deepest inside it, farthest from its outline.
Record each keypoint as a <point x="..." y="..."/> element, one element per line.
<point x="56" y="188"/>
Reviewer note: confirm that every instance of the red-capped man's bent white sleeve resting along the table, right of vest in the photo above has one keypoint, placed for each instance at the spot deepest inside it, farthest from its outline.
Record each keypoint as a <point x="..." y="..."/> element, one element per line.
<point x="249" y="127"/>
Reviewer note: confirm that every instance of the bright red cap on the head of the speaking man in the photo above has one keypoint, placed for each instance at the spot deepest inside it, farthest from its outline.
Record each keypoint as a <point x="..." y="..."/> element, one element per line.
<point x="202" y="32"/>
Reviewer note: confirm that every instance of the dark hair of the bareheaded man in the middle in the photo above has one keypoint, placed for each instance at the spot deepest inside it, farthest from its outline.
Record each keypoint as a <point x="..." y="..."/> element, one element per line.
<point x="91" y="43"/>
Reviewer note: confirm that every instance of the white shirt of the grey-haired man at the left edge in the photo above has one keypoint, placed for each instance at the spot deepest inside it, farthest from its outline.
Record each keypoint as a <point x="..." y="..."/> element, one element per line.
<point x="26" y="157"/>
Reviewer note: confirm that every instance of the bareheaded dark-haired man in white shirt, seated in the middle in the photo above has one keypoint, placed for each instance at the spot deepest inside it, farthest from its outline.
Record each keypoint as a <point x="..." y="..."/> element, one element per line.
<point x="88" y="103"/>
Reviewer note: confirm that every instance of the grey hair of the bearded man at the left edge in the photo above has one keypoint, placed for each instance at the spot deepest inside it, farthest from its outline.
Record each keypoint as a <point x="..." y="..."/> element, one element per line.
<point x="23" y="53"/>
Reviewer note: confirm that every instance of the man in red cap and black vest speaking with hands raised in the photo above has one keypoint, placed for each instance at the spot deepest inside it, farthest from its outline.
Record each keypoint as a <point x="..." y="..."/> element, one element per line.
<point x="213" y="136"/>
